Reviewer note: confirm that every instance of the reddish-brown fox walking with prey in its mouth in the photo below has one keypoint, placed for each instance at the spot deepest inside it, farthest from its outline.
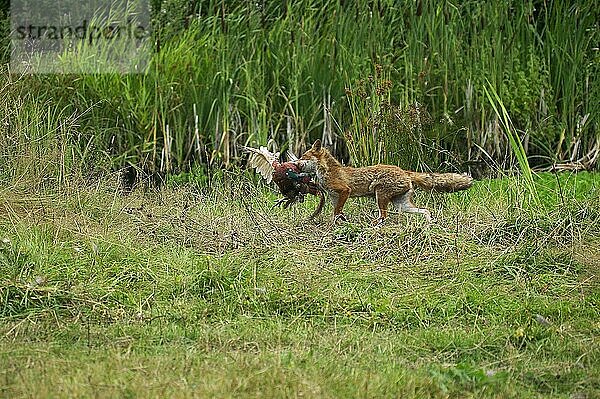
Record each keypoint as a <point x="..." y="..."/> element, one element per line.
<point x="387" y="183"/>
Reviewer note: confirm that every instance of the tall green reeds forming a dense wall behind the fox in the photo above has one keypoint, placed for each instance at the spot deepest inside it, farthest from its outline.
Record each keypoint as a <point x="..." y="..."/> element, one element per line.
<point x="226" y="73"/>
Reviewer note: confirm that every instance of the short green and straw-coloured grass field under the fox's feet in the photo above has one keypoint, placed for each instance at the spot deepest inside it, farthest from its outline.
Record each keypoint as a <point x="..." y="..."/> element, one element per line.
<point x="197" y="292"/>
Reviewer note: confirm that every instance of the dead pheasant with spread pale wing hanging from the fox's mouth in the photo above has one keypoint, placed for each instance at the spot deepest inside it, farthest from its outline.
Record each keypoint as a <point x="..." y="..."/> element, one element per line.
<point x="292" y="177"/>
